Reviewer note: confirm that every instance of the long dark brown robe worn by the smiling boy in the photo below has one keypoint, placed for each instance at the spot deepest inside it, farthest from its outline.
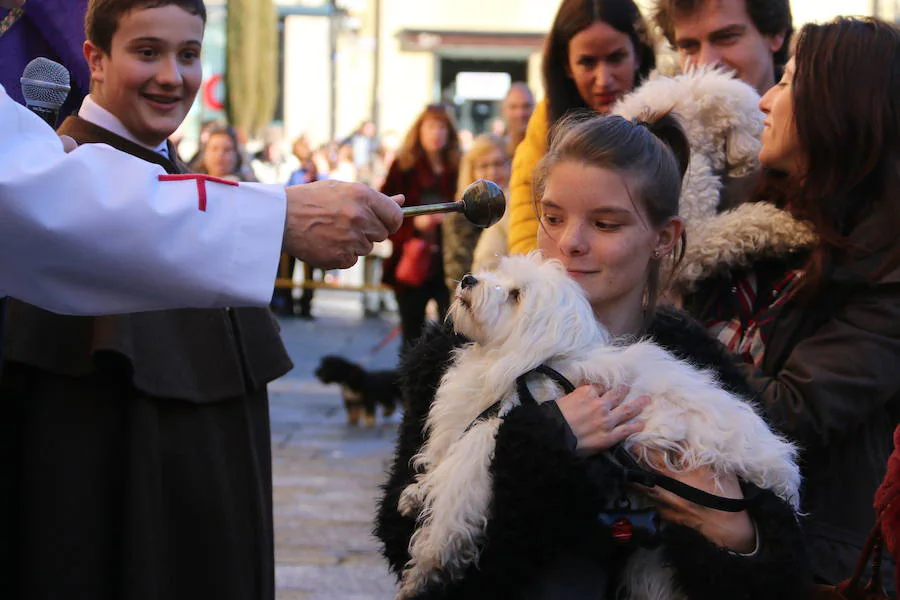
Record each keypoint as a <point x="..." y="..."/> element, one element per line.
<point x="136" y="448"/>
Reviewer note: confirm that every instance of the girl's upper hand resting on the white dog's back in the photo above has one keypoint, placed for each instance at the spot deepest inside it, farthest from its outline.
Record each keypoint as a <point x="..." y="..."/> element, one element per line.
<point x="599" y="419"/>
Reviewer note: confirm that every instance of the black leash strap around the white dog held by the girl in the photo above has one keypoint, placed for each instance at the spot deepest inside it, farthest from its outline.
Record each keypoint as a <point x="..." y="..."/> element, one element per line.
<point x="633" y="471"/>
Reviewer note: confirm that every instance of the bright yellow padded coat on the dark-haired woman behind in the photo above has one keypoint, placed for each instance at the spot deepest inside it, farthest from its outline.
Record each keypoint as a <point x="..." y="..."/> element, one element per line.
<point x="523" y="221"/>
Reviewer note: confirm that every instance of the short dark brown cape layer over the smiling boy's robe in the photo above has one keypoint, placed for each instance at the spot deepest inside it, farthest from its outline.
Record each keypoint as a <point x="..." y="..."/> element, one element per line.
<point x="200" y="355"/>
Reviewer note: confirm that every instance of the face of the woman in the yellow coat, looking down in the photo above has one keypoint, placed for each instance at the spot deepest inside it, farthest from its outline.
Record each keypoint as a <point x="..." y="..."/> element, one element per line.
<point x="603" y="65"/>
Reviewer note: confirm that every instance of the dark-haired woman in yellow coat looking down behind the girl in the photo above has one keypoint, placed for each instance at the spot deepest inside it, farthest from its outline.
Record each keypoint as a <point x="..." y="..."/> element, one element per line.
<point x="596" y="52"/>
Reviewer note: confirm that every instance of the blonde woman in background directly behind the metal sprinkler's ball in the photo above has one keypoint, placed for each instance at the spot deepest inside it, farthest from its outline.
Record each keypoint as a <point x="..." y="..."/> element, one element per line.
<point x="486" y="159"/>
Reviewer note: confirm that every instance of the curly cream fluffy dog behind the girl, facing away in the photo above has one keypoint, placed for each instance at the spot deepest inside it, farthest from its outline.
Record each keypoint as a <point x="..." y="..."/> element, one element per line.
<point x="720" y="116"/>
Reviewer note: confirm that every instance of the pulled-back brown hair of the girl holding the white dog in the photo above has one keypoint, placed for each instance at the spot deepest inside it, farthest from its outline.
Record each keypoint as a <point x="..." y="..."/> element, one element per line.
<point x="652" y="156"/>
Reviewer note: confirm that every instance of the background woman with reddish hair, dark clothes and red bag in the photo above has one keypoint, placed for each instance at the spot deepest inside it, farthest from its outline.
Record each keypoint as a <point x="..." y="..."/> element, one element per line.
<point x="425" y="171"/>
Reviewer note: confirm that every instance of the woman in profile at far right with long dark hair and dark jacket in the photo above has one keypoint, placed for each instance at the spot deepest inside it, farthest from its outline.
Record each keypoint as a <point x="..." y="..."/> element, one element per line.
<point x="819" y="327"/>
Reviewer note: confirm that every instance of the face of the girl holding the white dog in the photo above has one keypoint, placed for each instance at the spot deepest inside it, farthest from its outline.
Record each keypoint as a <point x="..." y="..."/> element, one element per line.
<point x="591" y="225"/>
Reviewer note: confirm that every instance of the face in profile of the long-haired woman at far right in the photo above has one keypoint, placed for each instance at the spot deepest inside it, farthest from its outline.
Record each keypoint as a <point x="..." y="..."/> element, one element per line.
<point x="780" y="143"/>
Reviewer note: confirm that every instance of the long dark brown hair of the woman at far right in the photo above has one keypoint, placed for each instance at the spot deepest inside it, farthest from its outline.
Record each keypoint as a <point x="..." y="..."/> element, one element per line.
<point x="846" y="95"/>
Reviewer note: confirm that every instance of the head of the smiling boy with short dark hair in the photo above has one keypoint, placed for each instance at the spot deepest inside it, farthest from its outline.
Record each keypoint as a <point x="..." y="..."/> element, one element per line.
<point x="151" y="76"/>
